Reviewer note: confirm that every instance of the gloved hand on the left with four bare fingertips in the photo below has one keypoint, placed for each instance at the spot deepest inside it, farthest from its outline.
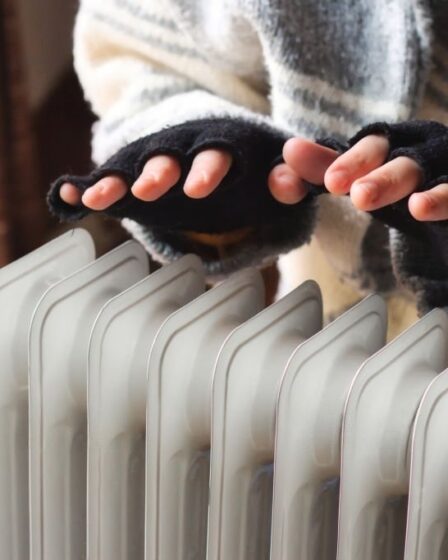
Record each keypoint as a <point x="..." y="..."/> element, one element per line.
<point x="222" y="162"/>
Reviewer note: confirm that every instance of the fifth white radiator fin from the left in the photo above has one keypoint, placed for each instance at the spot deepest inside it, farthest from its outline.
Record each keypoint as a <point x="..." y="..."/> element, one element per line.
<point x="248" y="374"/>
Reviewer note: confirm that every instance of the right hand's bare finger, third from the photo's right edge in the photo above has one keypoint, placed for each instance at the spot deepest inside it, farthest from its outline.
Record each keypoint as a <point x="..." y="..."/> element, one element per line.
<point x="365" y="156"/>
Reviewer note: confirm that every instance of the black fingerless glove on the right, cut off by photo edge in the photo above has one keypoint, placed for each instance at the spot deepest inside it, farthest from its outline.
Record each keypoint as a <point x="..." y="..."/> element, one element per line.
<point x="419" y="249"/>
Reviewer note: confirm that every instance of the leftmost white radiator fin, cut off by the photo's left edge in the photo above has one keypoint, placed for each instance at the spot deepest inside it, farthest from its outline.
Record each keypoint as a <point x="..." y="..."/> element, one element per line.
<point x="22" y="284"/>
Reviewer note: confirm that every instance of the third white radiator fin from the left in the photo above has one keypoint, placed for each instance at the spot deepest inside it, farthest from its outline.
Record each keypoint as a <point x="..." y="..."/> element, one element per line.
<point x="118" y="354"/>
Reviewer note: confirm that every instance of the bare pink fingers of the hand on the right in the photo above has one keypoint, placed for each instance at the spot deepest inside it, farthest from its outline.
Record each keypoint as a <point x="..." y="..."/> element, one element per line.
<point x="360" y="172"/>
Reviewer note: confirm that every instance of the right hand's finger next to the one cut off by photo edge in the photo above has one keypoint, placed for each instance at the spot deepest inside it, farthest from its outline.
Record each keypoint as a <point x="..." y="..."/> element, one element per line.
<point x="387" y="184"/>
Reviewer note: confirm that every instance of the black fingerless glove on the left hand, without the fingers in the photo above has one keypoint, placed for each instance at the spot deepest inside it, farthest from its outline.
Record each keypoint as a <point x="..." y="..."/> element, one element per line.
<point x="241" y="202"/>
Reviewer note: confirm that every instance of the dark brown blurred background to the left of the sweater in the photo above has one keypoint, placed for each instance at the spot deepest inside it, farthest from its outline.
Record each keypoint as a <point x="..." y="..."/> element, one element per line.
<point x="44" y="124"/>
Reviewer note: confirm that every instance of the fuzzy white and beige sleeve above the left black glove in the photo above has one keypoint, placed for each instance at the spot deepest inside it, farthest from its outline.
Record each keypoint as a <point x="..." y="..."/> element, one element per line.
<point x="141" y="72"/>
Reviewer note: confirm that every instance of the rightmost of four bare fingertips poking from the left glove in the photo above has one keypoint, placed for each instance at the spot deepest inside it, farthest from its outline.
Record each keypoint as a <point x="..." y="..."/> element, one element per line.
<point x="207" y="170"/>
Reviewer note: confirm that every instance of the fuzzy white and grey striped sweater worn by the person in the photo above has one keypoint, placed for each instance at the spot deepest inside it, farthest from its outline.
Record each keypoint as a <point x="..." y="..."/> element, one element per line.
<point x="296" y="67"/>
